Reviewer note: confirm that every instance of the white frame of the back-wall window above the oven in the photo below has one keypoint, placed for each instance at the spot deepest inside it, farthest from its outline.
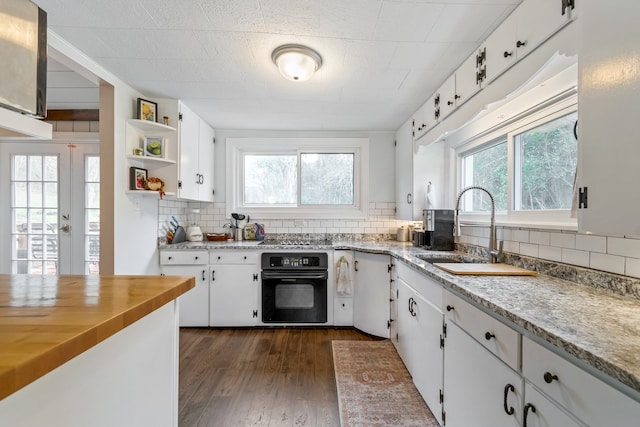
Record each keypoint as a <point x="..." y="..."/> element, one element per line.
<point x="237" y="148"/>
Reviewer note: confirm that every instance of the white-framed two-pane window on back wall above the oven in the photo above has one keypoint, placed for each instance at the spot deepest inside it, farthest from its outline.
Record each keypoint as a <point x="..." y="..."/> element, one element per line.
<point x="298" y="178"/>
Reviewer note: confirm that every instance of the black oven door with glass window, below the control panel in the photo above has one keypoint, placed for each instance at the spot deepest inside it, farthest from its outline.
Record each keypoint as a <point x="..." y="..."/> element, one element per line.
<point x="294" y="296"/>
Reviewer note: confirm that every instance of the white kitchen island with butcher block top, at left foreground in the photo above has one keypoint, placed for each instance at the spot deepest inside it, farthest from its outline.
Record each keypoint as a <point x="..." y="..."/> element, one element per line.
<point x="89" y="350"/>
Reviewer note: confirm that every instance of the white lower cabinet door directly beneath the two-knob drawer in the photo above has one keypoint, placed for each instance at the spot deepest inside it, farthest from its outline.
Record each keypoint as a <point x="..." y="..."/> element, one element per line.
<point x="477" y="385"/>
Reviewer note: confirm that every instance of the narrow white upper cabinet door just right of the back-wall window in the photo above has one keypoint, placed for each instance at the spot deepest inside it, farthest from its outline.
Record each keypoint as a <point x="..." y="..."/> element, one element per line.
<point x="404" y="172"/>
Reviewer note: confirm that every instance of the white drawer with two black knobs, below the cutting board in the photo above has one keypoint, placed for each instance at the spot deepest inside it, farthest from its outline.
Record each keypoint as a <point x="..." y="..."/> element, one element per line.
<point x="494" y="335"/>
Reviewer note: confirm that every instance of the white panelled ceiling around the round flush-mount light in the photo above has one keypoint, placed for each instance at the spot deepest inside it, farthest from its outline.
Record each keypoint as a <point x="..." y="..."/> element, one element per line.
<point x="381" y="58"/>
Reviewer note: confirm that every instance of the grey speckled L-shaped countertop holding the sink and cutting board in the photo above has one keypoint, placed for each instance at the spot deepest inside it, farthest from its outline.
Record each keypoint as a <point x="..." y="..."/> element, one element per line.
<point x="598" y="327"/>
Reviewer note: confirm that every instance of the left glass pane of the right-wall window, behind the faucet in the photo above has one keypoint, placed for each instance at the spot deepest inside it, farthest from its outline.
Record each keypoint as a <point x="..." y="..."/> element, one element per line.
<point x="486" y="168"/>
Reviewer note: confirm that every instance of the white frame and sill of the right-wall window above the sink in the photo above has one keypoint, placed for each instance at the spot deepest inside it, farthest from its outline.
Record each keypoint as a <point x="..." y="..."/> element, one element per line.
<point x="560" y="218"/>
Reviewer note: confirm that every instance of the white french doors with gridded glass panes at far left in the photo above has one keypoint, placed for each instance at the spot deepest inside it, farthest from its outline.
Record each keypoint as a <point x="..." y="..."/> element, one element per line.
<point x="52" y="195"/>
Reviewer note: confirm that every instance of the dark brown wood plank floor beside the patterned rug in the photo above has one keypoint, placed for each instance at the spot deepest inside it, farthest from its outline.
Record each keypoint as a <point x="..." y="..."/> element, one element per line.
<point x="259" y="376"/>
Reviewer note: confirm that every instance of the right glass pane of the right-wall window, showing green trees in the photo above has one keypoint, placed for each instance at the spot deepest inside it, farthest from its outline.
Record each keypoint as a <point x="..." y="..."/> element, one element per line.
<point x="546" y="165"/>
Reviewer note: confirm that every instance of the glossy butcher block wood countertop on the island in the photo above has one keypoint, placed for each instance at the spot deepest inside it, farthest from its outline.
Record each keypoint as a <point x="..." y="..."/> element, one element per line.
<point x="47" y="320"/>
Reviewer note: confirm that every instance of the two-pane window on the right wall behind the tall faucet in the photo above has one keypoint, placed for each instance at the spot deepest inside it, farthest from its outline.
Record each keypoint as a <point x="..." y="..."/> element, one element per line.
<point x="529" y="166"/>
